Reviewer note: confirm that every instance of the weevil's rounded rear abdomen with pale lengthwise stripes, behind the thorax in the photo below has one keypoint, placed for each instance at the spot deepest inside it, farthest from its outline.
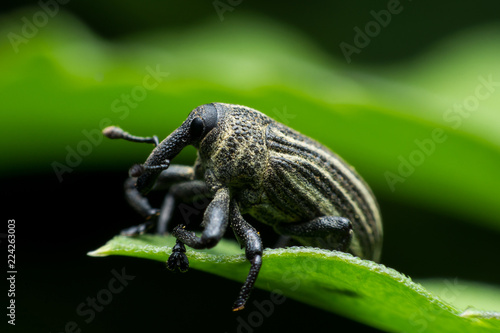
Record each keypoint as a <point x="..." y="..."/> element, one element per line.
<point x="306" y="180"/>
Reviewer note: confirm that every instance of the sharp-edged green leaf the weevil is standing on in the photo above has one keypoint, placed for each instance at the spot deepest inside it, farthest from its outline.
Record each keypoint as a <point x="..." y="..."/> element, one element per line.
<point x="334" y="281"/>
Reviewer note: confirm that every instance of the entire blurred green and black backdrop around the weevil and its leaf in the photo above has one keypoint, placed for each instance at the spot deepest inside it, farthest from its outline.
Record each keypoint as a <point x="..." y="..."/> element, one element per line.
<point x="66" y="71"/>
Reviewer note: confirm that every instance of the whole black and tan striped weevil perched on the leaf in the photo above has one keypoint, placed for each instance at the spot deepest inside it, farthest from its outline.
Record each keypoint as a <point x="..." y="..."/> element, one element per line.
<point x="251" y="165"/>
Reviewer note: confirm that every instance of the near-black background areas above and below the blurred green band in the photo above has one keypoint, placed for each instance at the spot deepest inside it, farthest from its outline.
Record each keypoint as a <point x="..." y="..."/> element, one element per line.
<point x="58" y="223"/>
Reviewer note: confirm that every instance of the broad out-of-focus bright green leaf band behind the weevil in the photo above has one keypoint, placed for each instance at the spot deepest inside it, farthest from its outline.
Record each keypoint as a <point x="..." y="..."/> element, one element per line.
<point x="64" y="84"/>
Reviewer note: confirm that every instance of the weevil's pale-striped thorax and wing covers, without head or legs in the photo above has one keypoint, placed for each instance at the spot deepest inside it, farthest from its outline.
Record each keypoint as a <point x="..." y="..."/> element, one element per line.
<point x="280" y="176"/>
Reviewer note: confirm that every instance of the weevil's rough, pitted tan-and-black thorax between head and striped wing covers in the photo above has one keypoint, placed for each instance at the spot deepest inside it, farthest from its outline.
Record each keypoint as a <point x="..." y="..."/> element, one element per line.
<point x="235" y="151"/>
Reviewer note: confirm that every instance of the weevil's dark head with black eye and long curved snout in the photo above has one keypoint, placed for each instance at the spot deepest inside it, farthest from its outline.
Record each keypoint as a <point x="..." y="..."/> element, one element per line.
<point x="194" y="129"/>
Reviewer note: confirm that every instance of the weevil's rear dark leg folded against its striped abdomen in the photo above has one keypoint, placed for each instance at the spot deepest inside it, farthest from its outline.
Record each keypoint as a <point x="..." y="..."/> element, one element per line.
<point x="327" y="232"/>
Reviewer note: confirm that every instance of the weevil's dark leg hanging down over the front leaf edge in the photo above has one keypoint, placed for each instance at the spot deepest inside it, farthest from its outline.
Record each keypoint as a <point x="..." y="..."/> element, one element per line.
<point x="249" y="238"/>
